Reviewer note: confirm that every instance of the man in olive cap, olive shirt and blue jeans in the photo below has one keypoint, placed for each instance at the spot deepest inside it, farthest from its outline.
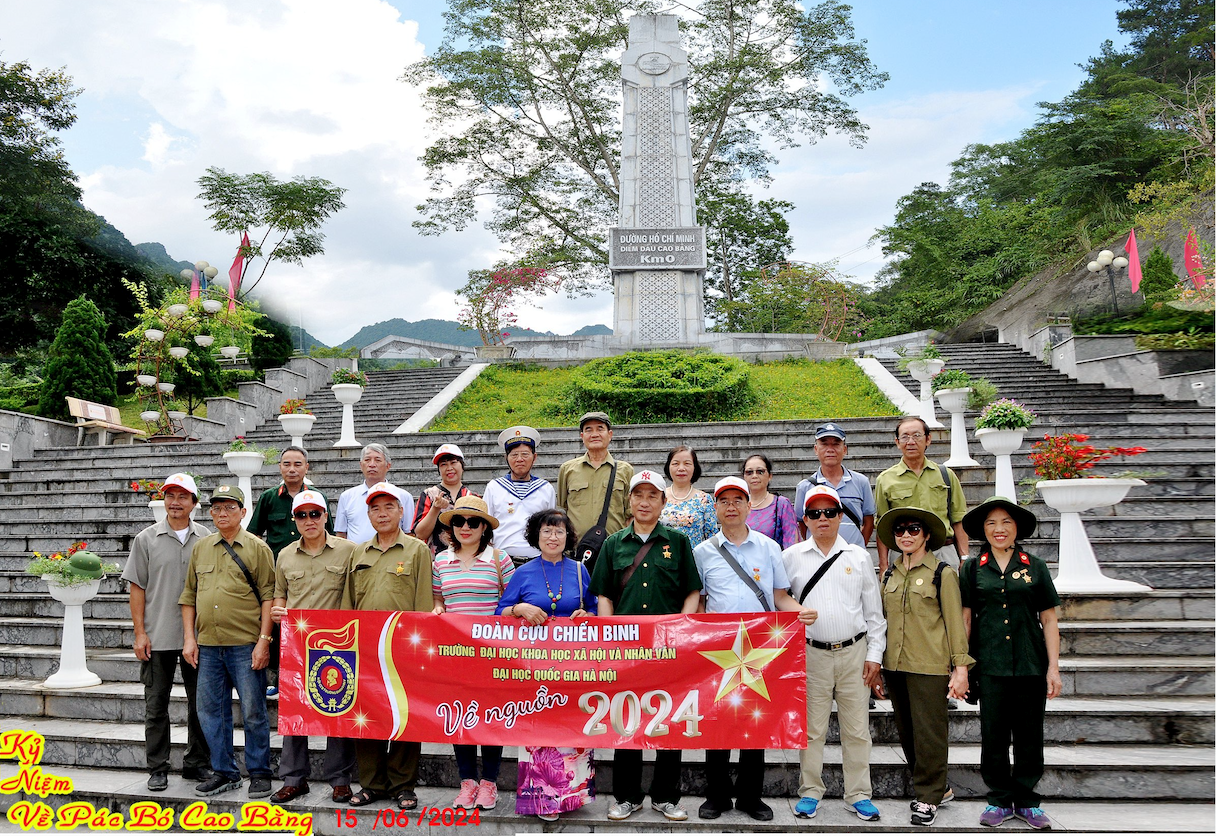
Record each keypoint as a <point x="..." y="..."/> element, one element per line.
<point x="226" y="615"/>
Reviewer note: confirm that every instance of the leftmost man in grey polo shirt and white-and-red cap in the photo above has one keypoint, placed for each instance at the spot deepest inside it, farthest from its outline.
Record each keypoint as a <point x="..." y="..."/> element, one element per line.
<point x="156" y="570"/>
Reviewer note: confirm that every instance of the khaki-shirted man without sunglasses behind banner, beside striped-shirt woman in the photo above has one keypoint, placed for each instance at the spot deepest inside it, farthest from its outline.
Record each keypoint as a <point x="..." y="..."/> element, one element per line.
<point x="391" y="572"/>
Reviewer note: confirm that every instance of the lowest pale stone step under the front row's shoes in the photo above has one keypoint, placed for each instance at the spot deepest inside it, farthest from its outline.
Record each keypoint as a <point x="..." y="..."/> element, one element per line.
<point x="119" y="790"/>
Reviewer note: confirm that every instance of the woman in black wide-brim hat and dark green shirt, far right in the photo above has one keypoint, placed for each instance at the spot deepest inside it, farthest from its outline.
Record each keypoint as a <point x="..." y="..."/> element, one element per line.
<point x="1010" y="611"/>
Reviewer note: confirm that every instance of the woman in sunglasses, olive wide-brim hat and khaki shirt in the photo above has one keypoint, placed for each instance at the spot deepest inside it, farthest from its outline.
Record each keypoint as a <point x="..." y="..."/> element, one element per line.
<point x="926" y="659"/>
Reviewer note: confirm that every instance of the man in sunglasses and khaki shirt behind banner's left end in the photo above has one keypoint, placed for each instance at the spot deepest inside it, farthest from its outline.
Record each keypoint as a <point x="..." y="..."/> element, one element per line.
<point x="312" y="575"/>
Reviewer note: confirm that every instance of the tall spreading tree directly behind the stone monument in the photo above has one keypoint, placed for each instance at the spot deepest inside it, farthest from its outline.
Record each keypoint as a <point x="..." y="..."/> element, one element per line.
<point x="536" y="87"/>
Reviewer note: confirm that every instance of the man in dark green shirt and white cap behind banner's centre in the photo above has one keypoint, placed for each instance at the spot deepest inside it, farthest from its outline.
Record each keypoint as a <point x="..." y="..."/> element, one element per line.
<point x="646" y="569"/>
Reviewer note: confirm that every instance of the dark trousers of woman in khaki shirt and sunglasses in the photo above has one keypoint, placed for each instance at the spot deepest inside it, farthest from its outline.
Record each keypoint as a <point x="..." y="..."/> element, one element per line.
<point x="922" y="720"/>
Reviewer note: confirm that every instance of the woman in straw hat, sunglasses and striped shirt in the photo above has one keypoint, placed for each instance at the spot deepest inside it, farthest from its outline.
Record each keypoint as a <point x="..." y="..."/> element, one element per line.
<point x="470" y="578"/>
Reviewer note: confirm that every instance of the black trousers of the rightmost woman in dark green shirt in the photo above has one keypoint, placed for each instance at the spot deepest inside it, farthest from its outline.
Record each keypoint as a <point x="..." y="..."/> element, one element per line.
<point x="1012" y="711"/>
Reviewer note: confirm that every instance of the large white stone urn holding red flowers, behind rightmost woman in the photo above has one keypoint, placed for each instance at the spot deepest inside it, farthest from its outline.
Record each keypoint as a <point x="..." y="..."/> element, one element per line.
<point x="1078" y="568"/>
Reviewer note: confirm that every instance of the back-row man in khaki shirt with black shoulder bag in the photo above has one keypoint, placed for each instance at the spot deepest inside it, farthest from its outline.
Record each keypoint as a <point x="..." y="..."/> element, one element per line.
<point x="583" y="482"/>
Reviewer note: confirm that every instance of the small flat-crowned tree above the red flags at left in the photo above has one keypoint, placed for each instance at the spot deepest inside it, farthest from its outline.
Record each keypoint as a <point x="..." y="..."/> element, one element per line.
<point x="282" y="218"/>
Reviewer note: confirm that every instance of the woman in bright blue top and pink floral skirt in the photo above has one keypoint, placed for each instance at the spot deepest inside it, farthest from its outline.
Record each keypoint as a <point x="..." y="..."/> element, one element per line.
<point x="551" y="781"/>
